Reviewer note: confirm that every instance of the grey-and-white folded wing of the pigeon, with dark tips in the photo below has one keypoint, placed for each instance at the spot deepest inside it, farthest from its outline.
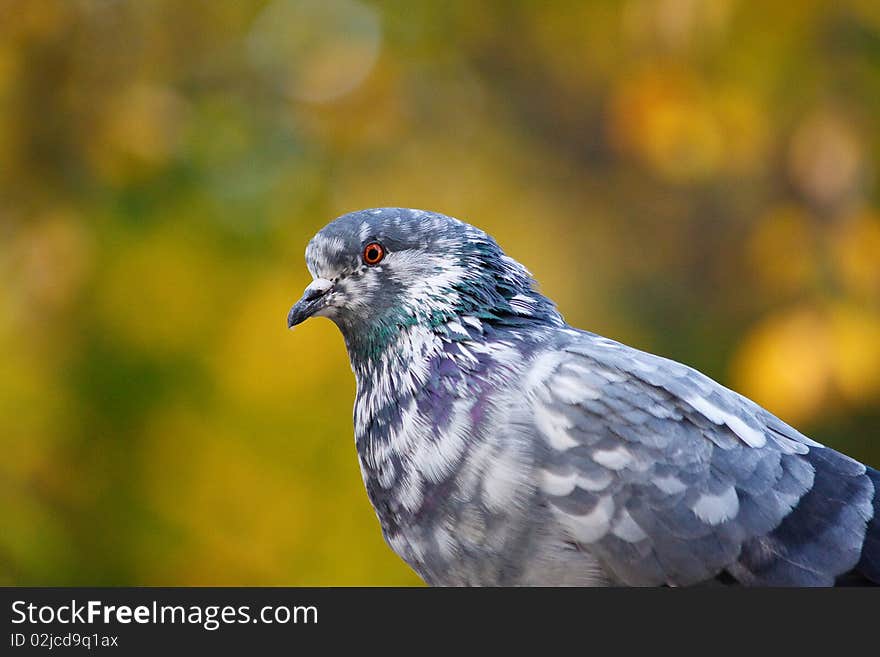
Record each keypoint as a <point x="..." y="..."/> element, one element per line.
<point x="670" y="478"/>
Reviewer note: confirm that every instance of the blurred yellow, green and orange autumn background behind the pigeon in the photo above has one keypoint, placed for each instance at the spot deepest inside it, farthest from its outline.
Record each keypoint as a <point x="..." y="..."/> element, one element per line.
<point x="697" y="178"/>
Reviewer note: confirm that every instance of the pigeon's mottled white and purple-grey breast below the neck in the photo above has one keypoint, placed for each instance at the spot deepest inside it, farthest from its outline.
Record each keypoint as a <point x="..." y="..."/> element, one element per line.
<point x="443" y="476"/>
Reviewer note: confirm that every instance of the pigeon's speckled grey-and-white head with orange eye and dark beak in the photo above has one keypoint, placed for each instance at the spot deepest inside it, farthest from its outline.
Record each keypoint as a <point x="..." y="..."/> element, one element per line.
<point x="379" y="271"/>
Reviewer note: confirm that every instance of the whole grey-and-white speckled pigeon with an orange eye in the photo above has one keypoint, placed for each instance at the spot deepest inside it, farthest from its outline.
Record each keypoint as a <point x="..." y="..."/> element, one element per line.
<point x="500" y="446"/>
